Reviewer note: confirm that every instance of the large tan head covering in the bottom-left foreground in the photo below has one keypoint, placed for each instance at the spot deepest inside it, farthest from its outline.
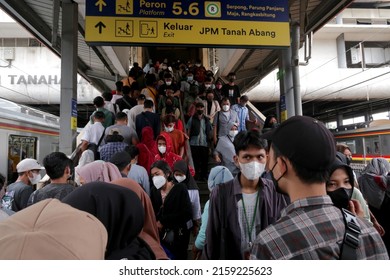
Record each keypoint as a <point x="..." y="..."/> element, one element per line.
<point x="52" y="230"/>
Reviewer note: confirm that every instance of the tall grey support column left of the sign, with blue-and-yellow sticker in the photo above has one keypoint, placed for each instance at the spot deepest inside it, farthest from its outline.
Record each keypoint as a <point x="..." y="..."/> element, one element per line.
<point x="68" y="106"/>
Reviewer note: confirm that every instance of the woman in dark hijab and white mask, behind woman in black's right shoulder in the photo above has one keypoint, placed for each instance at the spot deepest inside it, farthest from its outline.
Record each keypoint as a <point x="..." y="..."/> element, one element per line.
<point x="183" y="175"/>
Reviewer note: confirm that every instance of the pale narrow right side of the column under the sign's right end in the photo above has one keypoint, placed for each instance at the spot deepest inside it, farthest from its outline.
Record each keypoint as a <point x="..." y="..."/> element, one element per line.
<point x="295" y="34"/>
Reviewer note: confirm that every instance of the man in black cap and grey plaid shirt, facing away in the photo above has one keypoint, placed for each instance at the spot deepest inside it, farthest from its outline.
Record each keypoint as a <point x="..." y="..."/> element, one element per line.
<point x="311" y="227"/>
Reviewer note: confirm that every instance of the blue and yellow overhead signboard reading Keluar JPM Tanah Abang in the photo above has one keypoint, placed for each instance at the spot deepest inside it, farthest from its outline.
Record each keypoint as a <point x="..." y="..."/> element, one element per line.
<point x="231" y="23"/>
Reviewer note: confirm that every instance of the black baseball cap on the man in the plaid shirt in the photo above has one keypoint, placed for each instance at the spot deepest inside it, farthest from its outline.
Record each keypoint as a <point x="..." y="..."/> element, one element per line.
<point x="305" y="141"/>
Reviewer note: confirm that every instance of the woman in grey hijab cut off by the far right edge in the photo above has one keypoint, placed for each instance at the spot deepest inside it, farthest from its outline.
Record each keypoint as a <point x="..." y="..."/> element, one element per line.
<point x="374" y="183"/>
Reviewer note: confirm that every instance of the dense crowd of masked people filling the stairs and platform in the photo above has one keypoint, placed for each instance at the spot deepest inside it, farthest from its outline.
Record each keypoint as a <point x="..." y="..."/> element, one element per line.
<point x="276" y="191"/>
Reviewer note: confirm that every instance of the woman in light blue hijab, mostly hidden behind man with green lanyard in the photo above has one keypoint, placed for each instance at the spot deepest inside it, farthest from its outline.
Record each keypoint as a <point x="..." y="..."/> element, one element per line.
<point x="218" y="175"/>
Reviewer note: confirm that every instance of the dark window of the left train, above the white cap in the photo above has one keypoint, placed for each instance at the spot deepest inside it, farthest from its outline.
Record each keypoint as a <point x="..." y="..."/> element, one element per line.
<point x="19" y="147"/>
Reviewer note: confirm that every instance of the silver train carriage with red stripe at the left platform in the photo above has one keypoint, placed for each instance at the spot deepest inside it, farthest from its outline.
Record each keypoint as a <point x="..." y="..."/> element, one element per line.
<point x="25" y="133"/>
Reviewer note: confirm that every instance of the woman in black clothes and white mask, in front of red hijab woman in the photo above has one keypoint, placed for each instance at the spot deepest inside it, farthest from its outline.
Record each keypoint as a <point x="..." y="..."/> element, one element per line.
<point x="172" y="207"/>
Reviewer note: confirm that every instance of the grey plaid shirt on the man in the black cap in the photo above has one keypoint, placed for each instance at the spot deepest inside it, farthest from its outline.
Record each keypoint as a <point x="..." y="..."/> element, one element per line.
<point x="312" y="228"/>
